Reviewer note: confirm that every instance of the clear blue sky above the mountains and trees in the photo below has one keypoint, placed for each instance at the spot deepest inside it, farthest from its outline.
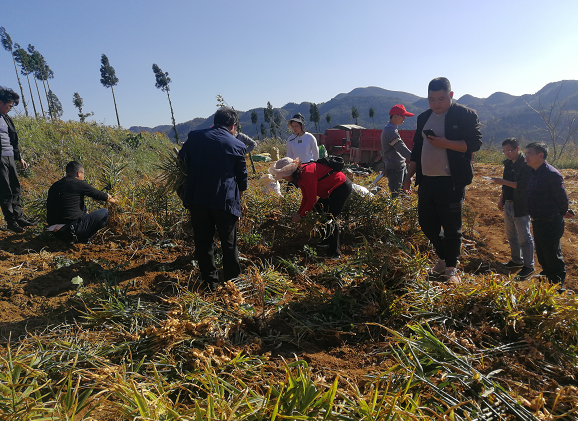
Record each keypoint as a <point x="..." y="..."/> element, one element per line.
<point x="251" y="52"/>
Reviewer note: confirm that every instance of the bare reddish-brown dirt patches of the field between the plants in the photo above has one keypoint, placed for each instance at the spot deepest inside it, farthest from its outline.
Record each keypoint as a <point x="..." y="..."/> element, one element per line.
<point x="36" y="270"/>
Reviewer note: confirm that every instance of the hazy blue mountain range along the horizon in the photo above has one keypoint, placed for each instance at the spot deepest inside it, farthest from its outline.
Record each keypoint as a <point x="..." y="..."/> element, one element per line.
<point x="502" y="115"/>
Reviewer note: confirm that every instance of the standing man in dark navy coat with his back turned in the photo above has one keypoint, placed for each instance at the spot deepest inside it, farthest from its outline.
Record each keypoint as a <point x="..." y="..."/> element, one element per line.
<point x="216" y="177"/>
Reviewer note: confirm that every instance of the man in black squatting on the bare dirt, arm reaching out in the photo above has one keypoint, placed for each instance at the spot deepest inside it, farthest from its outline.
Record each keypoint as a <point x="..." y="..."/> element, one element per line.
<point x="65" y="210"/>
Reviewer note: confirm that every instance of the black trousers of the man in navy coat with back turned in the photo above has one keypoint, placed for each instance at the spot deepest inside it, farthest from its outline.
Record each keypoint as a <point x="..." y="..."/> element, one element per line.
<point x="205" y="220"/>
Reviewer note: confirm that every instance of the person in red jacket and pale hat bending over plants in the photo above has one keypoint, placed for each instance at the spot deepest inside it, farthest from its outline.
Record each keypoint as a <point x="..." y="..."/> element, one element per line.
<point x="317" y="180"/>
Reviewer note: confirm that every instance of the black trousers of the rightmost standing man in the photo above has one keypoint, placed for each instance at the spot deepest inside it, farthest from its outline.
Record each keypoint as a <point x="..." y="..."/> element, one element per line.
<point x="547" y="235"/>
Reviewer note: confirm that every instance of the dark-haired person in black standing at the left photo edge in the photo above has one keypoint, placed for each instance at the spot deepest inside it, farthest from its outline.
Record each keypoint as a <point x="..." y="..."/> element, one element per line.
<point x="9" y="184"/>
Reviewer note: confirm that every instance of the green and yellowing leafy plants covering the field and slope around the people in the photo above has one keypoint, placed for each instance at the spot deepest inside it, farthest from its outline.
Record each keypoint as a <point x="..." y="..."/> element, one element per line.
<point x="419" y="349"/>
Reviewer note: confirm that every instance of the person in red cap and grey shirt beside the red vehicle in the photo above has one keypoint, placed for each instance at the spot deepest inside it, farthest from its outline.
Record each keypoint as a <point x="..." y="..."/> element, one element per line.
<point x="393" y="151"/>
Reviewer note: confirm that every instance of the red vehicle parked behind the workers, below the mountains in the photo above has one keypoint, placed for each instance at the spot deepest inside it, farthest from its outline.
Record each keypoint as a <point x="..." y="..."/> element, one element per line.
<point x="359" y="145"/>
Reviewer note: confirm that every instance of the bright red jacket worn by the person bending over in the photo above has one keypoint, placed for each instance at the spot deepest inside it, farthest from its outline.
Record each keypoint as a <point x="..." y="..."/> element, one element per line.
<point x="311" y="188"/>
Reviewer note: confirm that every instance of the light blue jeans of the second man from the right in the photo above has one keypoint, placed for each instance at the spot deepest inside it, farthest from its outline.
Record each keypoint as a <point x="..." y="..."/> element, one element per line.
<point x="519" y="236"/>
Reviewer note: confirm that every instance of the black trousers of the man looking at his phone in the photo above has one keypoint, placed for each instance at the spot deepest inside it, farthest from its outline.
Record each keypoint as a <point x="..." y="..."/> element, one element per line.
<point x="440" y="206"/>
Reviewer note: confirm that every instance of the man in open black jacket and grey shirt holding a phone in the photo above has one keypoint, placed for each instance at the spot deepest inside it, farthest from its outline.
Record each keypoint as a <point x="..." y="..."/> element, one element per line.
<point x="446" y="137"/>
